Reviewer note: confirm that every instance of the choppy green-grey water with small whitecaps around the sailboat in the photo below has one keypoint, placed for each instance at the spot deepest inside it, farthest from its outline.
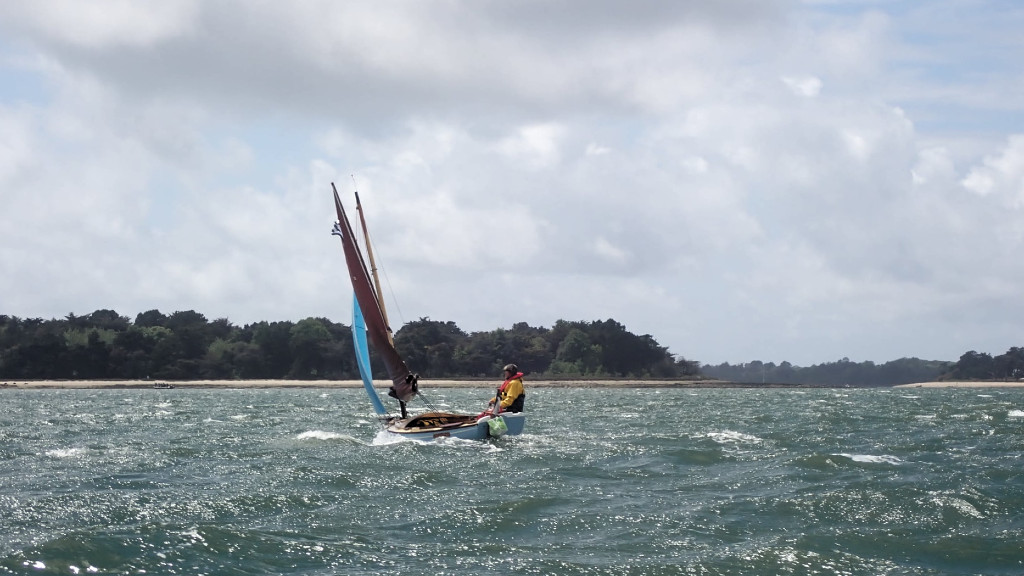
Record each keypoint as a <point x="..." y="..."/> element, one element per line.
<point x="645" y="482"/>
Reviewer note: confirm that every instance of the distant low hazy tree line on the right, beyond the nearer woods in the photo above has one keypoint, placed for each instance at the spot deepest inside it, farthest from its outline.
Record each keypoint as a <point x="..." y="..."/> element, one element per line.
<point x="971" y="366"/>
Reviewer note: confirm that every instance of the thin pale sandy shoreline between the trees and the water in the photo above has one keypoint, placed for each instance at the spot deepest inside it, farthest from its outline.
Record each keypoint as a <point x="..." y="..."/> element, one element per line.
<point x="443" y="384"/>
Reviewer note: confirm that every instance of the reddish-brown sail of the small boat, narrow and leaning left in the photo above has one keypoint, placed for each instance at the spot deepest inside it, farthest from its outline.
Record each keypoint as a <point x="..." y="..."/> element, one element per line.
<point x="404" y="385"/>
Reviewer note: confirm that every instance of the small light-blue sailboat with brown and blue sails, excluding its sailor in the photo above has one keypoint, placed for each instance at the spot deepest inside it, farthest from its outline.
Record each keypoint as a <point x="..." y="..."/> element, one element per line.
<point x="370" y="327"/>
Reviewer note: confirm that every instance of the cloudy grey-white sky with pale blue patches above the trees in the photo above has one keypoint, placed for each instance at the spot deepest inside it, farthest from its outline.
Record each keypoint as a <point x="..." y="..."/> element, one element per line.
<point x="742" y="180"/>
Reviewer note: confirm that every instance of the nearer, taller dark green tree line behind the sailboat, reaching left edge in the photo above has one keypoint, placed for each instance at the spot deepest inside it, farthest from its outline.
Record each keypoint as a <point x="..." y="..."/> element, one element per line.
<point x="186" y="346"/>
